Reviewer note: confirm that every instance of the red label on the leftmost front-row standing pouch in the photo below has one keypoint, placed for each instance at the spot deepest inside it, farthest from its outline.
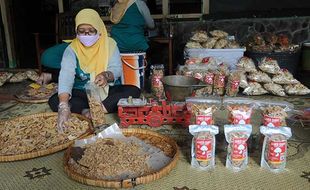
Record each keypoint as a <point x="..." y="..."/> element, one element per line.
<point x="203" y="149"/>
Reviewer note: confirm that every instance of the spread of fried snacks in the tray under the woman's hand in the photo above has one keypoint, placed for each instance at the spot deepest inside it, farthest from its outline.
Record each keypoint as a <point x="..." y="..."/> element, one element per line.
<point x="20" y="136"/>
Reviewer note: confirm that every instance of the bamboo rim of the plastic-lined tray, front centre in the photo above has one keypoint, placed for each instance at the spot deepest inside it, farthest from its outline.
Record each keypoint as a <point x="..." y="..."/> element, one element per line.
<point x="150" y="137"/>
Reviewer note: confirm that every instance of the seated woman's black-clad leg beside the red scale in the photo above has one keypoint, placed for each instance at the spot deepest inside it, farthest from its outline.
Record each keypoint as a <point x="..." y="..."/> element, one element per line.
<point x="116" y="93"/>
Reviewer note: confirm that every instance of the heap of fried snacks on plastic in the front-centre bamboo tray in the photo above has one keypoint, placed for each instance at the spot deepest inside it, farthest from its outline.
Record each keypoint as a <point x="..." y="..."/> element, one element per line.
<point x="128" y="160"/>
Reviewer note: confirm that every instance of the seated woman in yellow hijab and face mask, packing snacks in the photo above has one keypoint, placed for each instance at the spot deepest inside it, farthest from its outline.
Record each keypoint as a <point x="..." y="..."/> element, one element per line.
<point x="91" y="56"/>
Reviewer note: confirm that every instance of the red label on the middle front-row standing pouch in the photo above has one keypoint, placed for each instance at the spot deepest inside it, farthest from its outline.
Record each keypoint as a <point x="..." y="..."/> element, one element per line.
<point x="239" y="148"/>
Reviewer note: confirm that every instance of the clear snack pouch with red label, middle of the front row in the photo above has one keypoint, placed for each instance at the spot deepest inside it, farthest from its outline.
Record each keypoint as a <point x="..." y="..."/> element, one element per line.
<point x="237" y="149"/>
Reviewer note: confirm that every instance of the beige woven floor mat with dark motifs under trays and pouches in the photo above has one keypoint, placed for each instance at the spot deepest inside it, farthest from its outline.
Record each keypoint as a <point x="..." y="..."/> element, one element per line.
<point x="47" y="172"/>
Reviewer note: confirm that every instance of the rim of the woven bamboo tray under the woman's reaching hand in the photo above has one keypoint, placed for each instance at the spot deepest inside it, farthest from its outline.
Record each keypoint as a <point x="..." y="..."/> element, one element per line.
<point x="48" y="151"/>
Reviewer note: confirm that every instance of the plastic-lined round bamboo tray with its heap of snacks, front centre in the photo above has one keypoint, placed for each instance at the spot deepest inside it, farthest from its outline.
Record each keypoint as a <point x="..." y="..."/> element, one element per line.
<point x="121" y="158"/>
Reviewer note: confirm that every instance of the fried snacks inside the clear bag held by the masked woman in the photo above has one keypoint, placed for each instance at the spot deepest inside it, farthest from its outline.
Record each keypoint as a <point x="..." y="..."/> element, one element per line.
<point x="96" y="111"/>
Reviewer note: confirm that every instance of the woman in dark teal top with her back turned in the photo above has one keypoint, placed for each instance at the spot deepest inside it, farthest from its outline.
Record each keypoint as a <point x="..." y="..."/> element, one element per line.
<point x="130" y="18"/>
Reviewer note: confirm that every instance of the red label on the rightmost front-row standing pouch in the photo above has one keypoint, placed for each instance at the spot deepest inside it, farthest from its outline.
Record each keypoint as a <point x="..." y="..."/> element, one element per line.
<point x="277" y="151"/>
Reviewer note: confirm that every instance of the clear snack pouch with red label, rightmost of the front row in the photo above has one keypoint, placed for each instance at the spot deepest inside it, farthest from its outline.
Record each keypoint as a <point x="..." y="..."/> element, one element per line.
<point x="274" y="150"/>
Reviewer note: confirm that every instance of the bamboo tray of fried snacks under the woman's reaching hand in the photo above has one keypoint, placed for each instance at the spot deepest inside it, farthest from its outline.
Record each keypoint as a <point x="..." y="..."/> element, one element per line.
<point x="36" y="135"/>
